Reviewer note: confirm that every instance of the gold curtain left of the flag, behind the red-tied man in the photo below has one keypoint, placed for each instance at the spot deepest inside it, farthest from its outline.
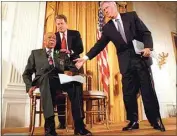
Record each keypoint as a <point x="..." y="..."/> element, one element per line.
<point x="82" y="16"/>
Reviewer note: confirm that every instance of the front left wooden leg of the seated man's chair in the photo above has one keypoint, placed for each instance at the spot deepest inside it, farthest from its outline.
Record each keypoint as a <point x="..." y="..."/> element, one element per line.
<point x="33" y="115"/>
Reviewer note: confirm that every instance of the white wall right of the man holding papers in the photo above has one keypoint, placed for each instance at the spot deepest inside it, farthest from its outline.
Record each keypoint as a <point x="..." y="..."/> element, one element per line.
<point x="161" y="21"/>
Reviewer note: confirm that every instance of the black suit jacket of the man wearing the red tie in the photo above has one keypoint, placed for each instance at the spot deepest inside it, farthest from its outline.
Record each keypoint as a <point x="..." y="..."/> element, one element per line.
<point x="74" y="42"/>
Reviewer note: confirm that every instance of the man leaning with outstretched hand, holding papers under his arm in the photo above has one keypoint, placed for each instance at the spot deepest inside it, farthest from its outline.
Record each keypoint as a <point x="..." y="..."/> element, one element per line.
<point x="121" y="30"/>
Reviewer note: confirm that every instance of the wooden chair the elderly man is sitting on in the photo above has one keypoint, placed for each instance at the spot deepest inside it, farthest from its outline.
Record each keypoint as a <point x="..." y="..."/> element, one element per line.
<point x="34" y="110"/>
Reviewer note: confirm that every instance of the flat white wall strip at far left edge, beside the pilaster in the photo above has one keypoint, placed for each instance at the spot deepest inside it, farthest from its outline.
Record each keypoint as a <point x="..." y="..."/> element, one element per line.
<point x="7" y="29"/>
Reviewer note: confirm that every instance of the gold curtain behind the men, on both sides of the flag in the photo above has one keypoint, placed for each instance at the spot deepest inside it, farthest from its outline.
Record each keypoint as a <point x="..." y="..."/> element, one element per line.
<point x="83" y="16"/>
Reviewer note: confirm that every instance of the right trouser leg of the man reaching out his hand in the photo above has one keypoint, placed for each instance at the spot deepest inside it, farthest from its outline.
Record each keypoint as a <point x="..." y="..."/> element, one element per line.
<point x="149" y="97"/>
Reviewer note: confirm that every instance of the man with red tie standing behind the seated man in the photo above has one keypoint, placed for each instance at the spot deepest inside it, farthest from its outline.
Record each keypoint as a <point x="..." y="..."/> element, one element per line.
<point x="68" y="41"/>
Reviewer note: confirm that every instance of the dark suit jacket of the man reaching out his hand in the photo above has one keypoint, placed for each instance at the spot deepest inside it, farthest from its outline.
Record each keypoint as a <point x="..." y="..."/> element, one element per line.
<point x="134" y="29"/>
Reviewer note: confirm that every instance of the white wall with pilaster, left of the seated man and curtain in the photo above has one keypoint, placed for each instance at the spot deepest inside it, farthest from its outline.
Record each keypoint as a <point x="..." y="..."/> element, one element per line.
<point x="22" y="31"/>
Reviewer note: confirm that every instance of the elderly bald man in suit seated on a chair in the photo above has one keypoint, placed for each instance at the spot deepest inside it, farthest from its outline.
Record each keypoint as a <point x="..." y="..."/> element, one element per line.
<point x="45" y="64"/>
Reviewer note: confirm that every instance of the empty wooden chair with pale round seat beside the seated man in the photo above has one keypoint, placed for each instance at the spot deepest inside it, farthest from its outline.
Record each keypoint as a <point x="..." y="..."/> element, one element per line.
<point x="97" y="100"/>
